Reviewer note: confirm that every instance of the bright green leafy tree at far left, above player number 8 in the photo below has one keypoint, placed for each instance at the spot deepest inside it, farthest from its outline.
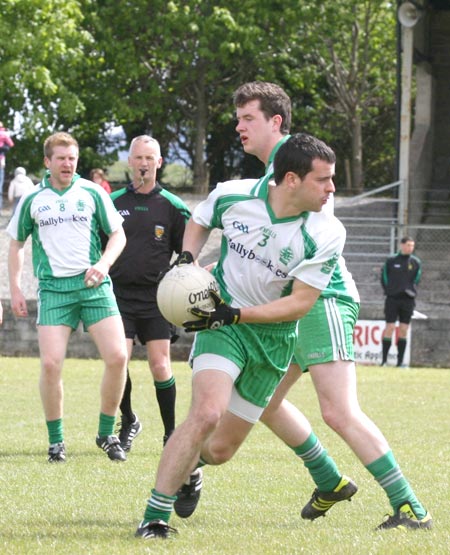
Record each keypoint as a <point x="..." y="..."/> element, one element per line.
<point x="39" y="62"/>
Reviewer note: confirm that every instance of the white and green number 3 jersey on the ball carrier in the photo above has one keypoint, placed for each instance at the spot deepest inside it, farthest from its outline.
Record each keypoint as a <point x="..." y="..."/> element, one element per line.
<point x="262" y="254"/>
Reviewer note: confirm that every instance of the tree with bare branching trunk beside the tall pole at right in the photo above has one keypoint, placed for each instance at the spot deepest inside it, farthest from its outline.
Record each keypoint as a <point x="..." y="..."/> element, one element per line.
<point x="355" y="51"/>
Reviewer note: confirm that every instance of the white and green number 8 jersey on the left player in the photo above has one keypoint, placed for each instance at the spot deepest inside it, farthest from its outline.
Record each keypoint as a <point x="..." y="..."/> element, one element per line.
<point x="64" y="226"/>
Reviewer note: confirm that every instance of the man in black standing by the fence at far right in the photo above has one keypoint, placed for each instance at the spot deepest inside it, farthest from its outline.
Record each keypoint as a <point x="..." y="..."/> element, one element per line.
<point x="399" y="277"/>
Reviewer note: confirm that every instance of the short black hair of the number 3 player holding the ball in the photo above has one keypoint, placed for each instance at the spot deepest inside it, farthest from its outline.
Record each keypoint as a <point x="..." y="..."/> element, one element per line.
<point x="297" y="154"/>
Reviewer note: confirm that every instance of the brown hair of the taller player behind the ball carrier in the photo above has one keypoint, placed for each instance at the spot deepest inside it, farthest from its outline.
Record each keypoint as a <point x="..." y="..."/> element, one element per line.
<point x="272" y="98"/>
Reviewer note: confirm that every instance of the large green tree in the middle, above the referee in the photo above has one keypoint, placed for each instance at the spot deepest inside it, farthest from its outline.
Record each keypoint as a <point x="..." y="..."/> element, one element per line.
<point x="178" y="82"/>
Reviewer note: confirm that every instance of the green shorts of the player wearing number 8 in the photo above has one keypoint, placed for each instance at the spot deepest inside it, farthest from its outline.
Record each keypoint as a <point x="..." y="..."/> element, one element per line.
<point x="67" y="302"/>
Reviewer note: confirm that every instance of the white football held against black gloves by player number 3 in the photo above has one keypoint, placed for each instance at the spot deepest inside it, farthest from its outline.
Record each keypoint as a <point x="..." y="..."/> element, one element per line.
<point x="183" y="288"/>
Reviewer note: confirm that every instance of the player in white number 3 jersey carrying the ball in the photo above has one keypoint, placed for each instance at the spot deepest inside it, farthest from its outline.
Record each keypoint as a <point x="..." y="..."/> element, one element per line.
<point x="276" y="258"/>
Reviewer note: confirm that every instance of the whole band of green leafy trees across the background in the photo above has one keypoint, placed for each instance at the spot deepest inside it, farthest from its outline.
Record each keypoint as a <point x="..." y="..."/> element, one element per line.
<point x="169" y="69"/>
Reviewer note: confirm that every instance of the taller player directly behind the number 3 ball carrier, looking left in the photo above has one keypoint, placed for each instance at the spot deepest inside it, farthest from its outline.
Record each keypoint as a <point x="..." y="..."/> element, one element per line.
<point x="325" y="348"/>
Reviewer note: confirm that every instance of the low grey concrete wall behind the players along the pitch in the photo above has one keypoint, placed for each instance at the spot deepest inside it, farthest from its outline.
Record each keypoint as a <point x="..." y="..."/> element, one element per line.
<point x="430" y="339"/>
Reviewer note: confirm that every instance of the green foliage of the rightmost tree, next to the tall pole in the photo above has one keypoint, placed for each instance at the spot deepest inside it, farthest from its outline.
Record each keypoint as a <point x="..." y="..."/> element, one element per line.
<point x="351" y="47"/>
